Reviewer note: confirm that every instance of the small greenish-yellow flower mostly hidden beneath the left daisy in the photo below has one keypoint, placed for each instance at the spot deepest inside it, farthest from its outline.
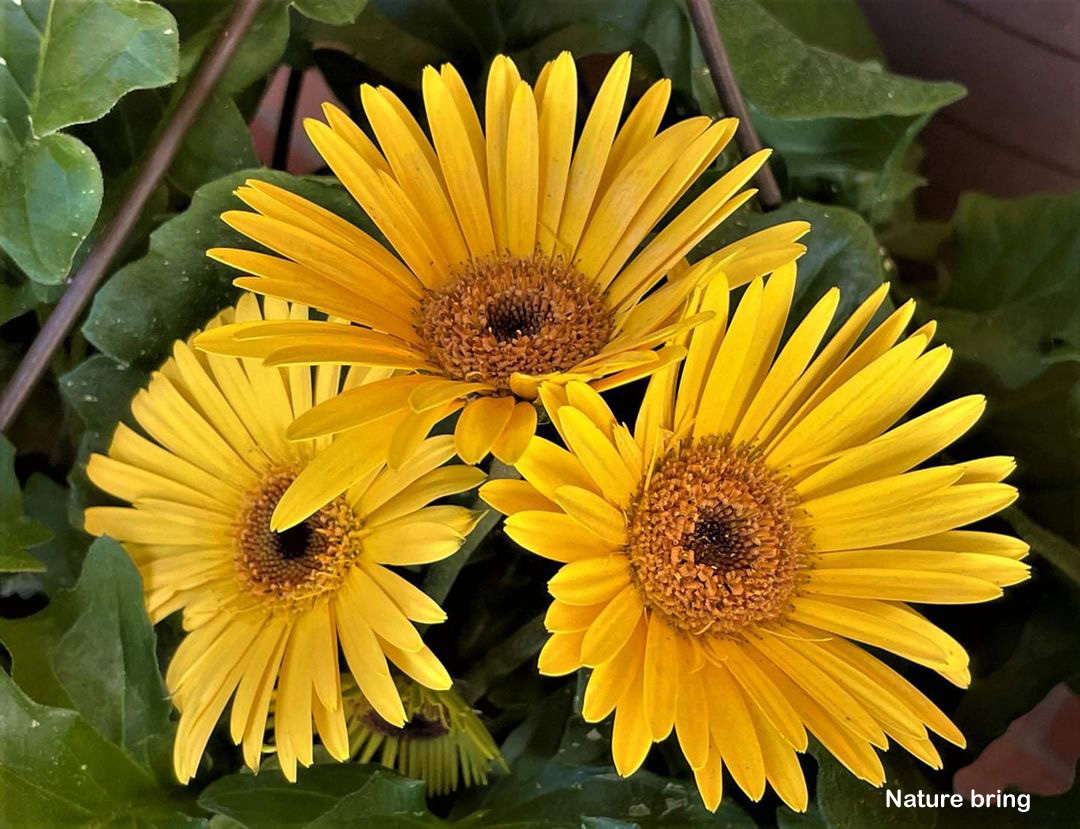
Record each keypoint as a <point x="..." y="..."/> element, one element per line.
<point x="442" y="743"/>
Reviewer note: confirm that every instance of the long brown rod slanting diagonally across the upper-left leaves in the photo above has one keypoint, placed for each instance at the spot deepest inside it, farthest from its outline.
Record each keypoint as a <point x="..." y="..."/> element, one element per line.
<point x="87" y="279"/>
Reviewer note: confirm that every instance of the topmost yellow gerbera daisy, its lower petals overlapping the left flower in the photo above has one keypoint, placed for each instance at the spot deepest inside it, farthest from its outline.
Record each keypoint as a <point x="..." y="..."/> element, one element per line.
<point x="520" y="257"/>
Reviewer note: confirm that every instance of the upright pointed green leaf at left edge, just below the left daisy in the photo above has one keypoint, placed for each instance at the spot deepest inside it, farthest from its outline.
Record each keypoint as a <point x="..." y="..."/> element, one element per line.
<point x="93" y="649"/>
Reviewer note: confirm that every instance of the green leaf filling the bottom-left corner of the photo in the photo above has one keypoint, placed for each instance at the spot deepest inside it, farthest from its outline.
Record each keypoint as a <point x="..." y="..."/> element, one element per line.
<point x="56" y="770"/>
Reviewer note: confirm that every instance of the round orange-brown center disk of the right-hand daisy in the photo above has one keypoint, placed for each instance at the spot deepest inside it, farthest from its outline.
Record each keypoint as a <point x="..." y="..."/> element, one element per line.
<point x="713" y="542"/>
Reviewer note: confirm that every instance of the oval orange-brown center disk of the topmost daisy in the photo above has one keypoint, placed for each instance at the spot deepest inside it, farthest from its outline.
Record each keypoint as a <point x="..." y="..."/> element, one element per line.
<point x="508" y="315"/>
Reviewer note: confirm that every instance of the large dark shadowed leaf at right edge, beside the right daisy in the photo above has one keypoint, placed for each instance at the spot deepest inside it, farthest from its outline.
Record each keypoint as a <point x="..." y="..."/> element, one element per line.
<point x="1009" y="305"/>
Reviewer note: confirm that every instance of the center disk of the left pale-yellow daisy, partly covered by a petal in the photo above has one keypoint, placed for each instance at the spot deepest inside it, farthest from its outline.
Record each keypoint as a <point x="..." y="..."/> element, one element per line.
<point x="299" y="564"/>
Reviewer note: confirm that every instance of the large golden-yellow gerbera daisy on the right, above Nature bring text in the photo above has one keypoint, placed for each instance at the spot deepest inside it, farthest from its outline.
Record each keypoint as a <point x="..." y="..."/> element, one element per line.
<point x="724" y="563"/>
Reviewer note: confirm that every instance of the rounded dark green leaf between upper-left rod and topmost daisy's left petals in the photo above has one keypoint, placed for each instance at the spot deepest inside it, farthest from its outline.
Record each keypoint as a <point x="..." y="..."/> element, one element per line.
<point x="175" y="289"/>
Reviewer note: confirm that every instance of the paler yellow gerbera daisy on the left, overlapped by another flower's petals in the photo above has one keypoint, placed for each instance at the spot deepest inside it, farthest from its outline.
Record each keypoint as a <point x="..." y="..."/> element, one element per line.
<point x="264" y="610"/>
